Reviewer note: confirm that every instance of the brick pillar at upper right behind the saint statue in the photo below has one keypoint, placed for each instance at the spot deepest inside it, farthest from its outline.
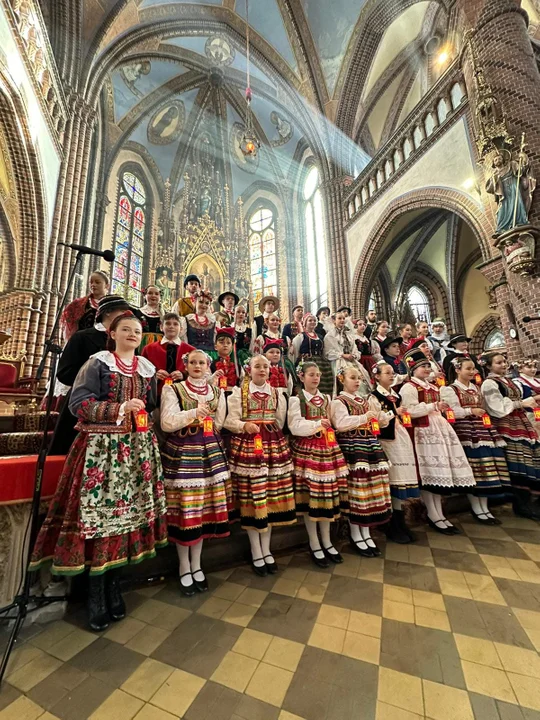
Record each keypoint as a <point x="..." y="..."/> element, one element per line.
<point x="503" y="50"/>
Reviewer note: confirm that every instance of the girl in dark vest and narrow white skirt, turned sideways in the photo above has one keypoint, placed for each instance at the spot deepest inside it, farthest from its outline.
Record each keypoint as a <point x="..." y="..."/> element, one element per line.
<point x="399" y="450"/>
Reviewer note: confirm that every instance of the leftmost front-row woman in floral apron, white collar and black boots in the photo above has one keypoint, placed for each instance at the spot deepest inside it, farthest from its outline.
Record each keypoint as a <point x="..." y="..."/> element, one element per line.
<point x="109" y="507"/>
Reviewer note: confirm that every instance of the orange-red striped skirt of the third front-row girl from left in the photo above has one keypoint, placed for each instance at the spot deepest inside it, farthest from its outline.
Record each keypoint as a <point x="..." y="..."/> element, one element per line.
<point x="262" y="483"/>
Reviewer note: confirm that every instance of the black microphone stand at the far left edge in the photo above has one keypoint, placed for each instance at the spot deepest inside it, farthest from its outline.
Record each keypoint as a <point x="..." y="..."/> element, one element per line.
<point x="24" y="598"/>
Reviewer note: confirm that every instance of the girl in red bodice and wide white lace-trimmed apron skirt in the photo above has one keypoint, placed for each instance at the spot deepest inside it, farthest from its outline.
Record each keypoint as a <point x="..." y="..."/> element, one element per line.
<point x="442" y="465"/>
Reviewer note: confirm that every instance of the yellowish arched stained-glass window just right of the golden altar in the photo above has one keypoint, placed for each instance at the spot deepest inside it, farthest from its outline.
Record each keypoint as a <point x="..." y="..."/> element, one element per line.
<point x="262" y="253"/>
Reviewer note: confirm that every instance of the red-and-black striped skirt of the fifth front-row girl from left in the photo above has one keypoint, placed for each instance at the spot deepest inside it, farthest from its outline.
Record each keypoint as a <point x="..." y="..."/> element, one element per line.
<point x="369" y="501"/>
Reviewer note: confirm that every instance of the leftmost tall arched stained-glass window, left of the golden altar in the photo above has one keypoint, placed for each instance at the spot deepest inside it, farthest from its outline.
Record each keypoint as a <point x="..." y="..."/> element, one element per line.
<point x="129" y="240"/>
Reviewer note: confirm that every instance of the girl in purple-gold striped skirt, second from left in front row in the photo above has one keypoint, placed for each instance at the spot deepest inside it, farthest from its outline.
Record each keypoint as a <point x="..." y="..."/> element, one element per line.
<point x="197" y="480"/>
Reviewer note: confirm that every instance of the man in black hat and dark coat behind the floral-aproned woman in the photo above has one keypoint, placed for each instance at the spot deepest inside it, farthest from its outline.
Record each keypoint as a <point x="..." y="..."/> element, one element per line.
<point x="78" y="350"/>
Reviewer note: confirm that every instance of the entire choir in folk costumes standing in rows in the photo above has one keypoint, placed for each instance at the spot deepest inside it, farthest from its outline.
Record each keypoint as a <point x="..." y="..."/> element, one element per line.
<point x="179" y="424"/>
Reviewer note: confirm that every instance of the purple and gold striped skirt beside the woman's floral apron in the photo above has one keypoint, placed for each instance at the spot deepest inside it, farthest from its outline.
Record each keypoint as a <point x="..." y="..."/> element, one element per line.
<point x="197" y="486"/>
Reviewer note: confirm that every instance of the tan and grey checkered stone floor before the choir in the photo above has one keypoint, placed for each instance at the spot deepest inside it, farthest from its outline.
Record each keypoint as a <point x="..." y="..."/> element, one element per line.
<point x="446" y="629"/>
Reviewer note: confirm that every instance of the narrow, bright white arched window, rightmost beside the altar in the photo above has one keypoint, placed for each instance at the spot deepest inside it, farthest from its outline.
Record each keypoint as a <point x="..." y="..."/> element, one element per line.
<point x="316" y="244"/>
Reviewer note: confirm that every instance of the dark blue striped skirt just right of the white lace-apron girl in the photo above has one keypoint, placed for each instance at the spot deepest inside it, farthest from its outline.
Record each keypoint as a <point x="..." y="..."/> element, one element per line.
<point x="484" y="448"/>
